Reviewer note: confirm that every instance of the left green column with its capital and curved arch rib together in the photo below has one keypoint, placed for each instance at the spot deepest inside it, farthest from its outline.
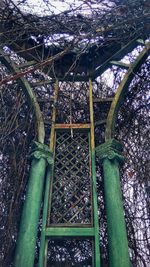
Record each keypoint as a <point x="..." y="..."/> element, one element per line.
<point x="26" y="242"/>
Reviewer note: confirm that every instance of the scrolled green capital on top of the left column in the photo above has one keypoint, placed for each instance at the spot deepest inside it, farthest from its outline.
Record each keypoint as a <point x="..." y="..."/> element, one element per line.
<point x="39" y="151"/>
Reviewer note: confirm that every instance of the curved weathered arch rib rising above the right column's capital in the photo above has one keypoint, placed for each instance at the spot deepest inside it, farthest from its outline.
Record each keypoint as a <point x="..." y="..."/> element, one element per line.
<point x="121" y="91"/>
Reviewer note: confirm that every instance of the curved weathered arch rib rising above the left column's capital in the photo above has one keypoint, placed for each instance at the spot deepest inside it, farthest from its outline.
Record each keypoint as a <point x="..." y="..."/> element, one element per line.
<point x="30" y="94"/>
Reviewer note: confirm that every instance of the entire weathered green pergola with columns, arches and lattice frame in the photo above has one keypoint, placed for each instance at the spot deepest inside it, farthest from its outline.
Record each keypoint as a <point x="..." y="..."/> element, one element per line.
<point x="46" y="163"/>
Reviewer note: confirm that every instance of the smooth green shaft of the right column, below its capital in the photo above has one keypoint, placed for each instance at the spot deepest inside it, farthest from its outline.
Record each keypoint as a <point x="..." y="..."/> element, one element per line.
<point x="117" y="237"/>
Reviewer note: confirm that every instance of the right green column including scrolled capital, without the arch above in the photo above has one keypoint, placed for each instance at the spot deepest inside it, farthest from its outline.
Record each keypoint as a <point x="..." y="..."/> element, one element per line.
<point x="110" y="154"/>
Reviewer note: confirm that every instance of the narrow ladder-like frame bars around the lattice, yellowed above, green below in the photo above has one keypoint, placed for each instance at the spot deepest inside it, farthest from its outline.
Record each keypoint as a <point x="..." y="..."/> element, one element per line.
<point x="72" y="231"/>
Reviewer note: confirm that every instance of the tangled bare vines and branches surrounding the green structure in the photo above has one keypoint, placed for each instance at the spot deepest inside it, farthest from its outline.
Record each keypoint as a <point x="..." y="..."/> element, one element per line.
<point x="32" y="33"/>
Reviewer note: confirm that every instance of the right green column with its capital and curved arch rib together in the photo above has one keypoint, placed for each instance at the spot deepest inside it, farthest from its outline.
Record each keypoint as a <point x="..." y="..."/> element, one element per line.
<point x="110" y="154"/>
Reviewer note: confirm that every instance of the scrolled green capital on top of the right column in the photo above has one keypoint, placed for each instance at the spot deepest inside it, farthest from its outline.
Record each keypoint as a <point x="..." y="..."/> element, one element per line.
<point x="111" y="150"/>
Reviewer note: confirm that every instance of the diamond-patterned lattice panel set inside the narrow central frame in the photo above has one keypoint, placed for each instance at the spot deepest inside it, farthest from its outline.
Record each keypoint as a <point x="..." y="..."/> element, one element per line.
<point x="71" y="186"/>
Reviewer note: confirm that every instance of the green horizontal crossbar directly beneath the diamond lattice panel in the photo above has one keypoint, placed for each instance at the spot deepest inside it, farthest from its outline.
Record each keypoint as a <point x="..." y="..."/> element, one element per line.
<point x="79" y="232"/>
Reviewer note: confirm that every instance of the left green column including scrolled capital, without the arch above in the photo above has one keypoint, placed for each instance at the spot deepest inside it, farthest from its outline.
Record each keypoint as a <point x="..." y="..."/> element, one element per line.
<point x="25" y="249"/>
